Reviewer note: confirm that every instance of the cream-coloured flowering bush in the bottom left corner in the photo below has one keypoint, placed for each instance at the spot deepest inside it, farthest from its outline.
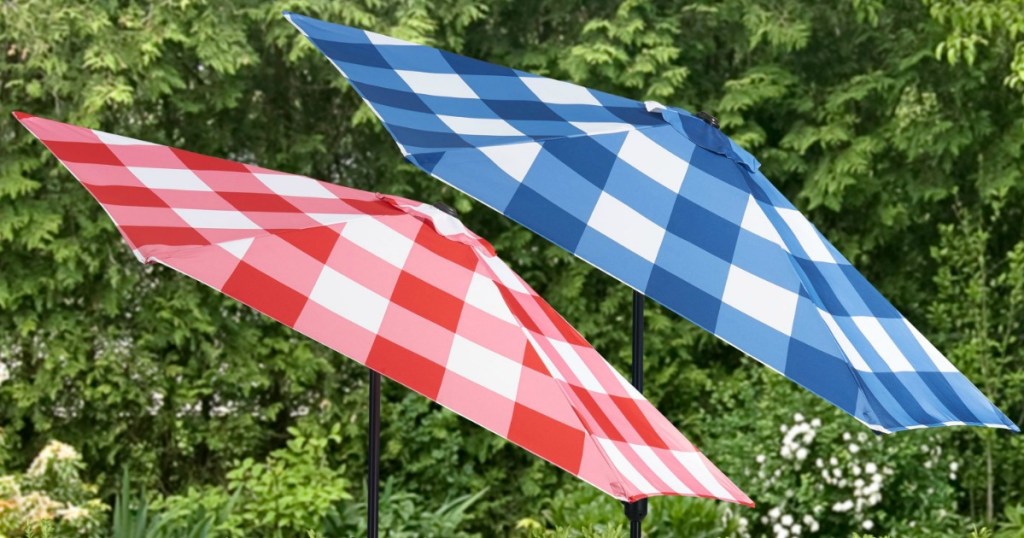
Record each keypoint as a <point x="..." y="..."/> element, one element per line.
<point x="51" y="495"/>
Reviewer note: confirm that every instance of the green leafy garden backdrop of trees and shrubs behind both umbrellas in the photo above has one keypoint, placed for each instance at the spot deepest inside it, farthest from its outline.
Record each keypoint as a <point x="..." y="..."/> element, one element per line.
<point x="898" y="127"/>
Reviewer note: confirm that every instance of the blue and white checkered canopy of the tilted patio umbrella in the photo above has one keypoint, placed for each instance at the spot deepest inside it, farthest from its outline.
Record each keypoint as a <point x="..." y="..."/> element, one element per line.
<point x="669" y="206"/>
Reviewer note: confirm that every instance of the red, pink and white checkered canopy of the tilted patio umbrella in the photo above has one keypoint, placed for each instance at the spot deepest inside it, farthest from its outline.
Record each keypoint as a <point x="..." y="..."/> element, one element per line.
<point x="396" y="285"/>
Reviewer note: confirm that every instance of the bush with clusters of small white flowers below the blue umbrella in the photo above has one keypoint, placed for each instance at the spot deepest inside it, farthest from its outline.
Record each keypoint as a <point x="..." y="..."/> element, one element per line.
<point x="826" y="481"/>
